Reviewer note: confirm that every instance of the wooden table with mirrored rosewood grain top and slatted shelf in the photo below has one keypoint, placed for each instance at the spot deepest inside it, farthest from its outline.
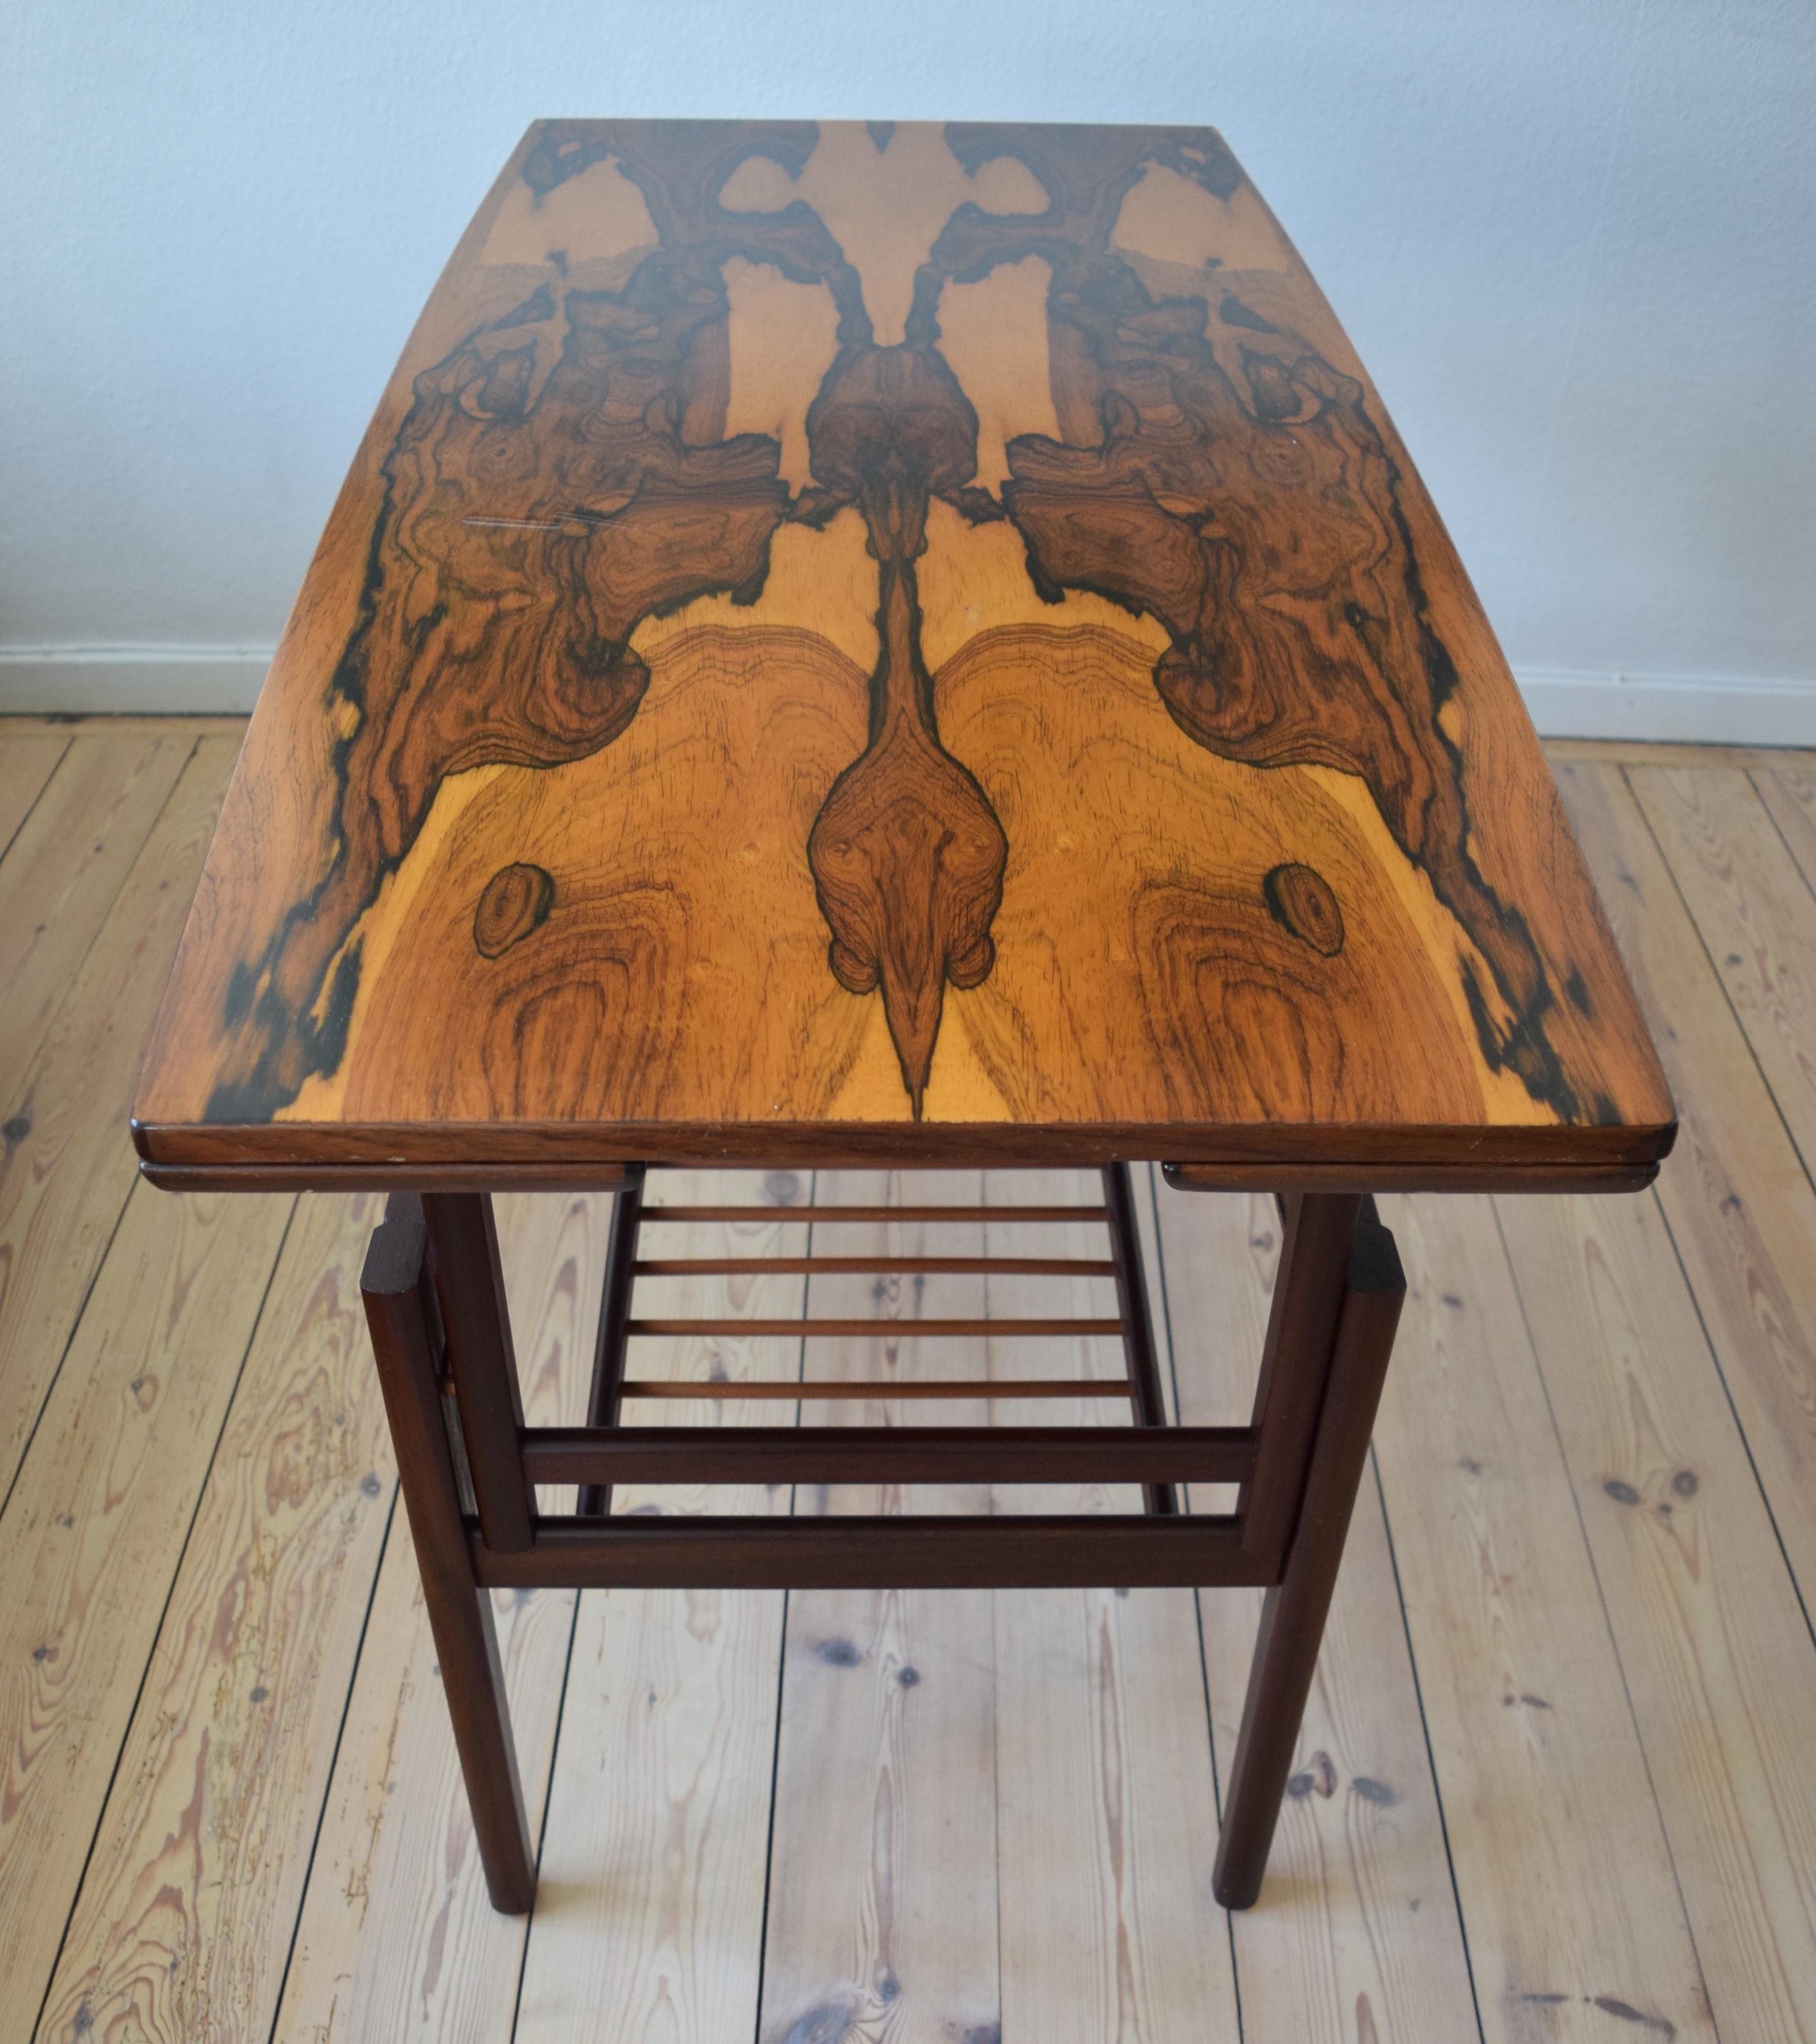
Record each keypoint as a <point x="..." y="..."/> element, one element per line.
<point x="889" y="645"/>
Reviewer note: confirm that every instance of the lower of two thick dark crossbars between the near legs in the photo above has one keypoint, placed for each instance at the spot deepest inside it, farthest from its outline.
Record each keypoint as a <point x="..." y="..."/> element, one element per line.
<point x="1107" y="1550"/>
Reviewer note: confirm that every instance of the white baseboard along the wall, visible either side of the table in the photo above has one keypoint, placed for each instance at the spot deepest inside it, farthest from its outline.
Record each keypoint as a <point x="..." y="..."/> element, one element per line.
<point x="222" y="680"/>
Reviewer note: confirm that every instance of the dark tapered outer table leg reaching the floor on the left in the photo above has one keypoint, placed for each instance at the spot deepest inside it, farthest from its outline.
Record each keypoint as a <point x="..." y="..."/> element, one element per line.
<point x="461" y="1620"/>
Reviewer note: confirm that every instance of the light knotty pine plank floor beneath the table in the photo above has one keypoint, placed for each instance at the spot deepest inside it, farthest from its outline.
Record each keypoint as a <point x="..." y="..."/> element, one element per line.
<point x="1559" y="1775"/>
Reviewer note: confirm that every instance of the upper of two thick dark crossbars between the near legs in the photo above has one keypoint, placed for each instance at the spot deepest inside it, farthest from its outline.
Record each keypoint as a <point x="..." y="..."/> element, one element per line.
<point x="889" y="1454"/>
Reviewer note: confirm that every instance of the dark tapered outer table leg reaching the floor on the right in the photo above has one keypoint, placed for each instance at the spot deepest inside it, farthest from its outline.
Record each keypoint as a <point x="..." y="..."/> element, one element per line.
<point x="1293" y="1618"/>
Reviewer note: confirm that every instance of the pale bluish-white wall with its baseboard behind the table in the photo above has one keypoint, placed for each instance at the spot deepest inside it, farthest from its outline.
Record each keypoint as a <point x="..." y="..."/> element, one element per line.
<point x="1572" y="238"/>
